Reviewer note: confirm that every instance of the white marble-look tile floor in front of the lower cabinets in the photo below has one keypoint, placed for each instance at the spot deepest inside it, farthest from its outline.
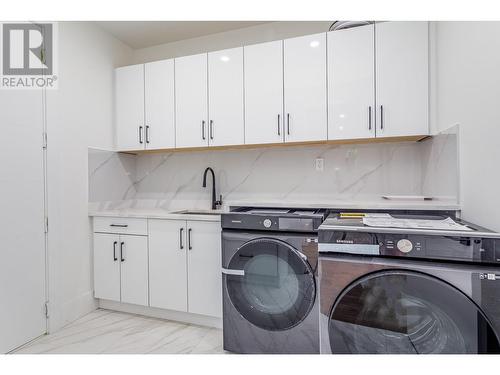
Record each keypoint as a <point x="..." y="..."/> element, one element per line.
<point x="111" y="332"/>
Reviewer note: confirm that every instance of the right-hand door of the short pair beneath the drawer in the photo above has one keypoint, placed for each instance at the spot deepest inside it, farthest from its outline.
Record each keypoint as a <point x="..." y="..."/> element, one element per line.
<point x="133" y="256"/>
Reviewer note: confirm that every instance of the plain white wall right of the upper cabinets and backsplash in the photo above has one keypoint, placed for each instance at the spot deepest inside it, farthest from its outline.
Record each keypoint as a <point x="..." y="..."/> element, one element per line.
<point x="468" y="86"/>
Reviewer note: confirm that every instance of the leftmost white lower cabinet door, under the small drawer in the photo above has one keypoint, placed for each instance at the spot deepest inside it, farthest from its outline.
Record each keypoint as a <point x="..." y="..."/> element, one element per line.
<point x="107" y="266"/>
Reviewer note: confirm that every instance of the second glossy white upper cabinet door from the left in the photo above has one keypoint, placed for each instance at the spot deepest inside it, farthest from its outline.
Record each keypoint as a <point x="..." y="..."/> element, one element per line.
<point x="159" y="99"/>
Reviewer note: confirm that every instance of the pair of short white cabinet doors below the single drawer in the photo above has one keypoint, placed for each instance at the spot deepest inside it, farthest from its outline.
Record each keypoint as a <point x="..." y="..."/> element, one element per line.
<point x="121" y="268"/>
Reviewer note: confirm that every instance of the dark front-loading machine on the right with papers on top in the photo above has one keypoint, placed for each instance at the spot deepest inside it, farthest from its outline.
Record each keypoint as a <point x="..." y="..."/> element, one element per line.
<point x="408" y="290"/>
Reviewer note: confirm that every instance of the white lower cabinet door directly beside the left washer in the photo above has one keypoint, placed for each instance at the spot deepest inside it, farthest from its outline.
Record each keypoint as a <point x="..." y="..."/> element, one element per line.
<point x="204" y="268"/>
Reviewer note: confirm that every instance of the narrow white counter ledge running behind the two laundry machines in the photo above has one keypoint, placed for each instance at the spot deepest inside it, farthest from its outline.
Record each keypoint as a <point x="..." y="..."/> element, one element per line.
<point x="381" y="203"/>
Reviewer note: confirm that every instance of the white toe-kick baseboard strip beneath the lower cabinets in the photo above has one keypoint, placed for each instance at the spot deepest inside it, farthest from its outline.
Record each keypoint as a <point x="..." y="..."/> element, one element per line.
<point x="154" y="312"/>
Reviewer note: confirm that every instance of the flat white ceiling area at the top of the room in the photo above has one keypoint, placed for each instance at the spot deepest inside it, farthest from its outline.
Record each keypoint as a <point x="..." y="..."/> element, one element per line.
<point x="141" y="34"/>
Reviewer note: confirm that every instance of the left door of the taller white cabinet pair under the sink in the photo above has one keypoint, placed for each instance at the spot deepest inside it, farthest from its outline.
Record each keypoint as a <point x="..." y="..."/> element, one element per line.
<point x="168" y="264"/>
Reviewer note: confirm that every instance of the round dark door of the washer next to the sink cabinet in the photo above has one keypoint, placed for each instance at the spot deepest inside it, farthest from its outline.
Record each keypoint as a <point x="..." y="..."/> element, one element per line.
<point x="277" y="290"/>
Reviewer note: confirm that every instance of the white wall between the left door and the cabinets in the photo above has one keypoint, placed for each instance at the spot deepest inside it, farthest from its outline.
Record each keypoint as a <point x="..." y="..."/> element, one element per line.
<point x="79" y="114"/>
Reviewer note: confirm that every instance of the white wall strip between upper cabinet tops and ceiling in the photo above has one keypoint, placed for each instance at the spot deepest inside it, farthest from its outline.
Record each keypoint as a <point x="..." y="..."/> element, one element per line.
<point x="235" y="38"/>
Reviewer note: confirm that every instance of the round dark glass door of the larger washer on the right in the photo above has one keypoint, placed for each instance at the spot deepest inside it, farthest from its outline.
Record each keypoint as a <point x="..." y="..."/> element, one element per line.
<point x="407" y="312"/>
